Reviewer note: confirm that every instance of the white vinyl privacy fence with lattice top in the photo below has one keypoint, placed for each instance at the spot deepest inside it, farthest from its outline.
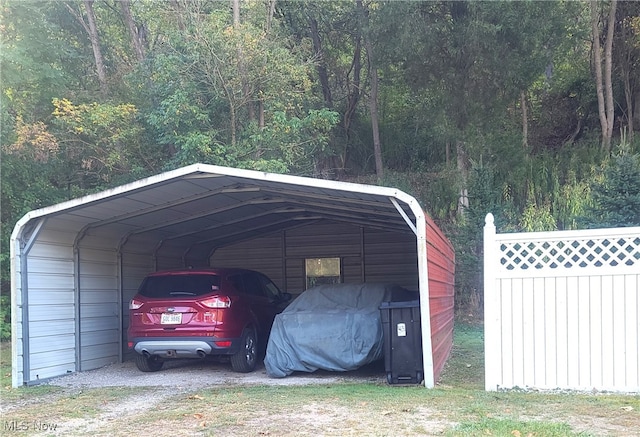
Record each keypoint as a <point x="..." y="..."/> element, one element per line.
<point x="562" y="309"/>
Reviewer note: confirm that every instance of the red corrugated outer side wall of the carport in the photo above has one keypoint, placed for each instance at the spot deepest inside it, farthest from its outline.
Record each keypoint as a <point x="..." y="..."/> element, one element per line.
<point x="441" y="273"/>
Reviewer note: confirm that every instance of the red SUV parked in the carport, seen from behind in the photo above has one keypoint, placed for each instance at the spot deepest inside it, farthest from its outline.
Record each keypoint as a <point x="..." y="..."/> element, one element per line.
<point x="200" y="312"/>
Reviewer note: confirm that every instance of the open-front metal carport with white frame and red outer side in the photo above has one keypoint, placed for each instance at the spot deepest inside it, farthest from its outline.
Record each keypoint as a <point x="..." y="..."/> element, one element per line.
<point x="75" y="265"/>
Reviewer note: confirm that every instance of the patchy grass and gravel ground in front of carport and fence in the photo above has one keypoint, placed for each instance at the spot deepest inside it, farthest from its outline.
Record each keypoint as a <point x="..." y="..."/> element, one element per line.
<point x="458" y="406"/>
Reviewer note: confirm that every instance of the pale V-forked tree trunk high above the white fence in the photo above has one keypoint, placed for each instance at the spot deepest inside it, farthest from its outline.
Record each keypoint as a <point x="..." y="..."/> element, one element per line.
<point x="604" y="87"/>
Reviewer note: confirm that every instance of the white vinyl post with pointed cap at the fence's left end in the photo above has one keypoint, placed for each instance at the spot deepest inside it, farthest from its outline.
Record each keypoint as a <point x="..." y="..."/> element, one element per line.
<point x="492" y="347"/>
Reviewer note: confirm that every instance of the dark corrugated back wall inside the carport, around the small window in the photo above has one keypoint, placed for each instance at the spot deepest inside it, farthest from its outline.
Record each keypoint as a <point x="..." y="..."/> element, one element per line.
<point x="389" y="257"/>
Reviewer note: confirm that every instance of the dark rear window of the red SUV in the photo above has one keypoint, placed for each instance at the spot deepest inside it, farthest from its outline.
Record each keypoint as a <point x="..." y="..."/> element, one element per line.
<point x="179" y="285"/>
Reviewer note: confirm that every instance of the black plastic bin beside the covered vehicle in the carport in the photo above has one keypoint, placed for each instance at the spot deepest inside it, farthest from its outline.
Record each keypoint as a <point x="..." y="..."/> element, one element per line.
<point x="402" y="341"/>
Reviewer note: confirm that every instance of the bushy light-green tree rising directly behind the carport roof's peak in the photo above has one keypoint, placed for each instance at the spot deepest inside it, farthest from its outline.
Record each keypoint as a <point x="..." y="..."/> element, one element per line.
<point x="205" y="95"/>
